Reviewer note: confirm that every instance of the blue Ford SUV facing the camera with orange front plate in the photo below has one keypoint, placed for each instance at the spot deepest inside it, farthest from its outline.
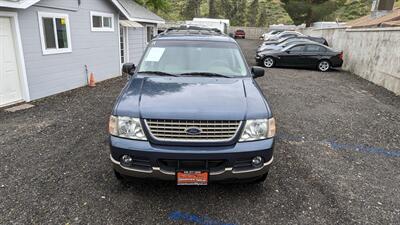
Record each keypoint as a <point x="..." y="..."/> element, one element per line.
<point x="192" y="112"/>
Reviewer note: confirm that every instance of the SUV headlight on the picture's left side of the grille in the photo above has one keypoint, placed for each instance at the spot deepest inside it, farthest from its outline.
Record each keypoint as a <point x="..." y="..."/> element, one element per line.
<point x="126" y="127"/>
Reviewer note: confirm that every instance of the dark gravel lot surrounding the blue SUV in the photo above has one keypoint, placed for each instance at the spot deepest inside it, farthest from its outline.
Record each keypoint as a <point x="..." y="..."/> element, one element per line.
<point x="337" y="161"/>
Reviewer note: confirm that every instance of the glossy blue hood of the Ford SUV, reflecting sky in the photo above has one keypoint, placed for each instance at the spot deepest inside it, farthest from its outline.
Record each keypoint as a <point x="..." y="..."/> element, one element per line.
<point x="191" y="98"/>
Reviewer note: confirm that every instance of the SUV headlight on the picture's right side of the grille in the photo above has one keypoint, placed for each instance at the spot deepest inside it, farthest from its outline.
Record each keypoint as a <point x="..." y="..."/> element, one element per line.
<point x="258" y="130"/>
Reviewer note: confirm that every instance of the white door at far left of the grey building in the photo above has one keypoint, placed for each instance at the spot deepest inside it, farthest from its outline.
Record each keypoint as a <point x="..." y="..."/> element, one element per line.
<point x="10" y="85"/>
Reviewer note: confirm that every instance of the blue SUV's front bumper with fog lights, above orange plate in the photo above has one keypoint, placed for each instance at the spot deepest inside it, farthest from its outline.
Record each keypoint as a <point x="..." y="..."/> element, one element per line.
<point x="151" y="159"/>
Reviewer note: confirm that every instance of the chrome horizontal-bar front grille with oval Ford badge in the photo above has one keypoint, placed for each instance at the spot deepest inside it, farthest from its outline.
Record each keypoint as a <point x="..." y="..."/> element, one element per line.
<point x="177" y="130"/>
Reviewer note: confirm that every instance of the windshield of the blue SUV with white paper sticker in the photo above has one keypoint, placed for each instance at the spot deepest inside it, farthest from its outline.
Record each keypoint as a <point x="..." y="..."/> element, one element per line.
<point x="191" y="57"/>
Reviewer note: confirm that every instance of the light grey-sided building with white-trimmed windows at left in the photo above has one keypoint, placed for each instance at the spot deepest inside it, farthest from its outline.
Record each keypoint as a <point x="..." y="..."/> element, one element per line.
<point x="50" y="46"/>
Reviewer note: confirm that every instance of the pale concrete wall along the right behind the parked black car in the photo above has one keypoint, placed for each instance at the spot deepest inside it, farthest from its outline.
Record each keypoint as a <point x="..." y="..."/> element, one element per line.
<point x="372" y="53"/>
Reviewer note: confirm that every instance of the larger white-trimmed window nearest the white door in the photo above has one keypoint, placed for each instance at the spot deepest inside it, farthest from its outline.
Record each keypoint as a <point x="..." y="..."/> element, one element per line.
<point x="55" y="33"/>
